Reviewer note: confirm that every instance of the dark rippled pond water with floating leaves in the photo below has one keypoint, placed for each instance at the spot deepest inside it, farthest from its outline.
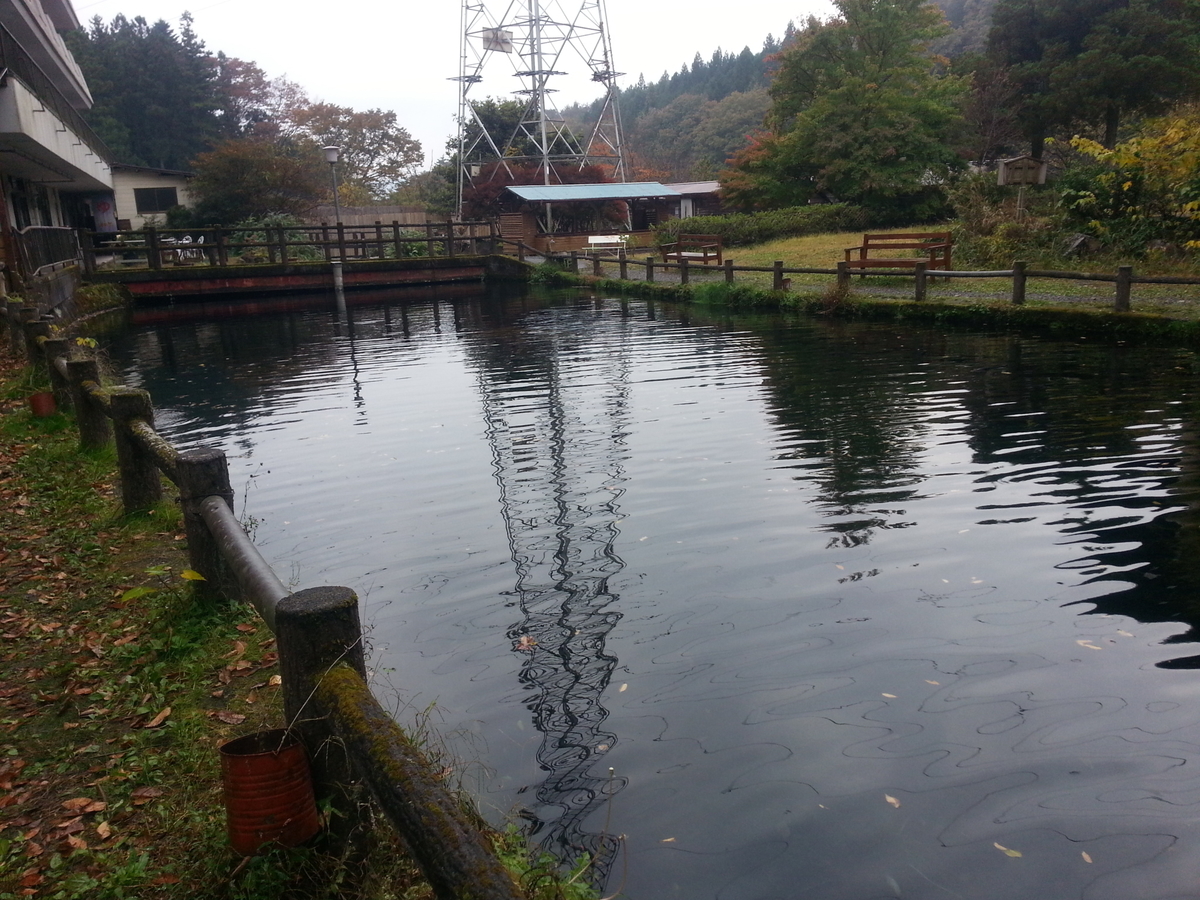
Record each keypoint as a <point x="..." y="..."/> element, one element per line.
<point x="801" y="609"/>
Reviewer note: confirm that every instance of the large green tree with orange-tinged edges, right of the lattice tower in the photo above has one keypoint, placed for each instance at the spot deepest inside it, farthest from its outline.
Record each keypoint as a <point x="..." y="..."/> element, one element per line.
<point x="859" y="112"/>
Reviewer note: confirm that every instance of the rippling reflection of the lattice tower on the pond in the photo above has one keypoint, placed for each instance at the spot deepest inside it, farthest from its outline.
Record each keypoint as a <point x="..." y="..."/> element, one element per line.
<point x="559" y="443"/>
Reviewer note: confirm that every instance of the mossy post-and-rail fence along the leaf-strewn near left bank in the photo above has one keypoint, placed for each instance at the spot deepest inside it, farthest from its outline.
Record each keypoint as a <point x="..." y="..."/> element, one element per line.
<point x="349" y="735"/>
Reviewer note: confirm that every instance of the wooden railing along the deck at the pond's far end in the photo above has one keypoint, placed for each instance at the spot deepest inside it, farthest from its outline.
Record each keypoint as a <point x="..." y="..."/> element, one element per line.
<point x="160" y="248"/>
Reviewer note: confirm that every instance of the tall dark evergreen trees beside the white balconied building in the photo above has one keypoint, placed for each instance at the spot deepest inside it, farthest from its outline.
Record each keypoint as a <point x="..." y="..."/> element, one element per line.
<point x="155" y="89"/>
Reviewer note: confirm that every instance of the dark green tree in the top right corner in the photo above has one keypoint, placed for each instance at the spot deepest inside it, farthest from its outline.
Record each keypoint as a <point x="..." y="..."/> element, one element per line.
<point x="1096" y="62"/>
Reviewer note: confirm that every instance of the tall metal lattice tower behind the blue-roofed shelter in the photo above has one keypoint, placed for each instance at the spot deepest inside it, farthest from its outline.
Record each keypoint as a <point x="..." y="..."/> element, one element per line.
<point x="535" y="41"/>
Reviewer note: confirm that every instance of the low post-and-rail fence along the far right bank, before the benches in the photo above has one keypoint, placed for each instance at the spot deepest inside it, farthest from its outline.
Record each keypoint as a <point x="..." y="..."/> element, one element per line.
<point x="1124" y="279"/>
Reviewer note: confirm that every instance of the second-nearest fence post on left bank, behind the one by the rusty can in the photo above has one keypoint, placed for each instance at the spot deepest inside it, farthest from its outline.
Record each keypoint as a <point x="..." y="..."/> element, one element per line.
<point x="200" y="475"/>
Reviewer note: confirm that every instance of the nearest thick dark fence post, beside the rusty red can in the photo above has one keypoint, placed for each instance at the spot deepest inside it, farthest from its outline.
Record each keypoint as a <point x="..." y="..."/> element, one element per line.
<point x="315" y="629"/>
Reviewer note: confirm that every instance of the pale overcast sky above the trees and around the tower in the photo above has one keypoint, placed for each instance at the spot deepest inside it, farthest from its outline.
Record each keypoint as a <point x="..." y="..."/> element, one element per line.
<point x="399" y="55"/>
